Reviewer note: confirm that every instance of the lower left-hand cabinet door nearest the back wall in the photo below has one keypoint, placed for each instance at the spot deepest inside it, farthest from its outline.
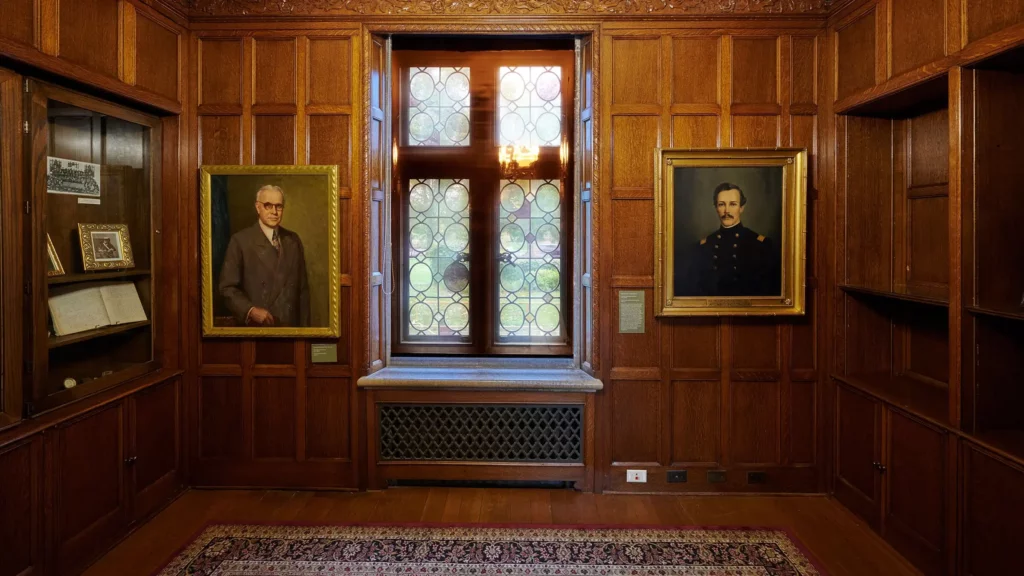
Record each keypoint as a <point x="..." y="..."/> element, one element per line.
<point x="154" y="469"/>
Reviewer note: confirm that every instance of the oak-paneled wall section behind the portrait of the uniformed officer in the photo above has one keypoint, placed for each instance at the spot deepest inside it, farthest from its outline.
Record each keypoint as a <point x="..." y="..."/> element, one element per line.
<point x="705" y="394"/>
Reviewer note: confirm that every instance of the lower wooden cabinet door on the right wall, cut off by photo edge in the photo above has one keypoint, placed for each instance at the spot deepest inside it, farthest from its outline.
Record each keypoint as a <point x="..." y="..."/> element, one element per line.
<point x="994" y="515"/>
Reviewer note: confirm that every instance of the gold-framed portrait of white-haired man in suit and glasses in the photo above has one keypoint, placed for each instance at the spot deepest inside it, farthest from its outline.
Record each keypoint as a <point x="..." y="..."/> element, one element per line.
<point x="271" y="253"/>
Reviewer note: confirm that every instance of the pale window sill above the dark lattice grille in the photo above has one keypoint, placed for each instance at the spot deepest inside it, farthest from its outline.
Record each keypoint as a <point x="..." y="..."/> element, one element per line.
<point x="483" y="375"/>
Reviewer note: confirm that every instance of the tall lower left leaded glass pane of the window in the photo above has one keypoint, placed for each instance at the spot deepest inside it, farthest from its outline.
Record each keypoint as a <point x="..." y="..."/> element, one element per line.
<point x="438" y="263"/>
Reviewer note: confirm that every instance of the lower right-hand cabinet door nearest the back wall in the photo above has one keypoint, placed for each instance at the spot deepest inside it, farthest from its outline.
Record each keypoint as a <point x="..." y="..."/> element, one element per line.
<point x="859" y="451"/>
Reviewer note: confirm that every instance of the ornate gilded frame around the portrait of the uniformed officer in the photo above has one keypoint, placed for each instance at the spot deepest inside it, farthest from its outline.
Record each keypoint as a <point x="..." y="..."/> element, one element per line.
<point x="791" y="303"/>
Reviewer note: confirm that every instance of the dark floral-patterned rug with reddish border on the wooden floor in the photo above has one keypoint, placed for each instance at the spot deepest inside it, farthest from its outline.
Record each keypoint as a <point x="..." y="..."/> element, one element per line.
<point x="458" y="551"/>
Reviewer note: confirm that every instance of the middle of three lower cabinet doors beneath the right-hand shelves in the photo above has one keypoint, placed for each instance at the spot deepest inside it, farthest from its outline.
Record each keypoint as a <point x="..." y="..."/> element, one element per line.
<point x="917" y="492"/>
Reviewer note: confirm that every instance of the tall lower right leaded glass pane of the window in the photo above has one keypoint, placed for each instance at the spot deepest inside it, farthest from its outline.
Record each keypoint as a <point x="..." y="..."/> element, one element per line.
<point x="530" y="282"/>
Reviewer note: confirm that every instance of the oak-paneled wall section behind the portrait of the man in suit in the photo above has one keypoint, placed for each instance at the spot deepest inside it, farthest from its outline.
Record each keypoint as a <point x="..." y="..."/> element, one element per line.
<point x="261" y="414"/>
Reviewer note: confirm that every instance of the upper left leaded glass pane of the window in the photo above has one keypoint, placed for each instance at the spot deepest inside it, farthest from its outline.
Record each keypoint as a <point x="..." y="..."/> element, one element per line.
<point x="439" y="106"/>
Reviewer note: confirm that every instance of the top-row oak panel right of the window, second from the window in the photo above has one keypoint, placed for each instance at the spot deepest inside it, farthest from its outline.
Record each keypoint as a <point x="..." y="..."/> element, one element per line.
<point x="696" y="65"/>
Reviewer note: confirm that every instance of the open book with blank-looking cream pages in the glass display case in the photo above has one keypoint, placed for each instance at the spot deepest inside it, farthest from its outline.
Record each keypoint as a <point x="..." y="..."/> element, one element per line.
<point x="88" y="309"/>
